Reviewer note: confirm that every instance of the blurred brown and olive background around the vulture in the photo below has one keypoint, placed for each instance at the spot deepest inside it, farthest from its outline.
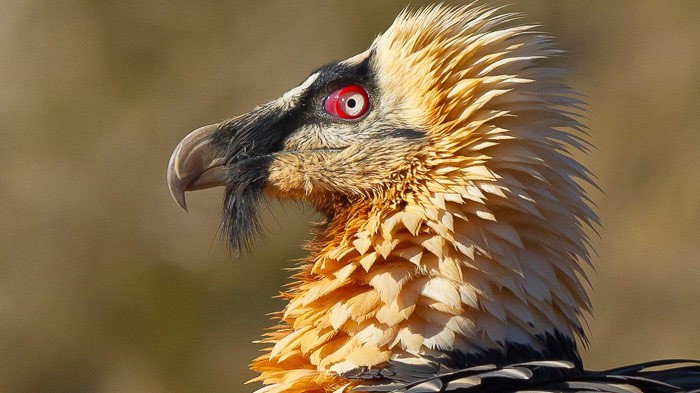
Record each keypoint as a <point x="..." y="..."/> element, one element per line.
<point x="107" y="286"/>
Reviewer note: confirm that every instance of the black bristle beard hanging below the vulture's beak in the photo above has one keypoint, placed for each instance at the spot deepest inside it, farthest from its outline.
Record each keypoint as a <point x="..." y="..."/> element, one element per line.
<point x="244" y="192"/>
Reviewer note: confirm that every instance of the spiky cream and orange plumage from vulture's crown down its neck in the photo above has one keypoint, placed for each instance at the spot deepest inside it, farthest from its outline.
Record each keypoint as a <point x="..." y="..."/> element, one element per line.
<point x="474" y="254"/>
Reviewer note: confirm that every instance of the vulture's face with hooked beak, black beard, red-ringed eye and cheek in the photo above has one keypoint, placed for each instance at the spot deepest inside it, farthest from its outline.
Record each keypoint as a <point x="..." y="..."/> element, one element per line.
<point x="338" y="139"/>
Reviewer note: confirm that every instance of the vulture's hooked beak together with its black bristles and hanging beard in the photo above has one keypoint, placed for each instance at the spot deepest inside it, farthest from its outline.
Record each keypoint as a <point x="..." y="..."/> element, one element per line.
<point x="235" y="154"/>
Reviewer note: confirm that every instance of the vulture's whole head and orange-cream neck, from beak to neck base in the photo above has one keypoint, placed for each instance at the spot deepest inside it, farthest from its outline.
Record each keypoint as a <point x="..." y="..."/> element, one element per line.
<point x="455" y="214"/>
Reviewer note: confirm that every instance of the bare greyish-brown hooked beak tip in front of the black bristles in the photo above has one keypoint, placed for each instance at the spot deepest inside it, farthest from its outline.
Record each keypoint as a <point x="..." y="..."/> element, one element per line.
<point x="196" y="163"/>
